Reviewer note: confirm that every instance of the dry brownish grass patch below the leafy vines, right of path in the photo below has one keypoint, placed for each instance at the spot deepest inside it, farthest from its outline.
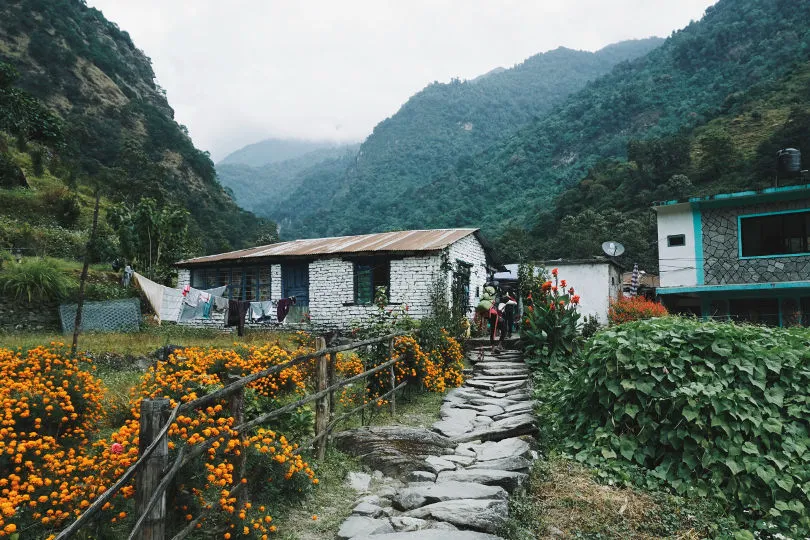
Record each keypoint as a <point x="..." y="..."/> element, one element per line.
<point x="563" y="498"/>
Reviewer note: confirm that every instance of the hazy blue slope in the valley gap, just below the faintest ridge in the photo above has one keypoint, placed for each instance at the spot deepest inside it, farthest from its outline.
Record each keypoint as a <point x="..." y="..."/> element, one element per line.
<point x="260" y="189"/>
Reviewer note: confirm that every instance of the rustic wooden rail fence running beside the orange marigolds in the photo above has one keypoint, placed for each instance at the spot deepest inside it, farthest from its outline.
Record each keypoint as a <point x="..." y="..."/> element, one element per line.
<point x="154" y="474"/>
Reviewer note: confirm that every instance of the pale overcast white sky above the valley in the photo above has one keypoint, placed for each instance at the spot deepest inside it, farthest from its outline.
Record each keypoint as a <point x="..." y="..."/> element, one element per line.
<point x="238" y="71"/>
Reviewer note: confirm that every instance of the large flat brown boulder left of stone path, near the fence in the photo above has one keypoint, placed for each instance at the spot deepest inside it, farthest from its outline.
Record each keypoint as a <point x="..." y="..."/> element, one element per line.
<point x="395" y="450"/>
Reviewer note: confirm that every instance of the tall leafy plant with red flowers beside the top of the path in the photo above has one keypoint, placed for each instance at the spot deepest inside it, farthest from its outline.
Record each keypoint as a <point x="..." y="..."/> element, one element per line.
<point x="551" y="322"/>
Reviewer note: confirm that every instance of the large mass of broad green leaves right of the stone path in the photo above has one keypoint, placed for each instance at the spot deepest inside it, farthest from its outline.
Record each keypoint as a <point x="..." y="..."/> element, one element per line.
<point x="708" y="408"/>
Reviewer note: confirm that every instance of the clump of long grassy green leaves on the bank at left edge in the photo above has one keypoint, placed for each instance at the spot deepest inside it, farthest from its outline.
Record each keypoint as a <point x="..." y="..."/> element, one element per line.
<point x="34" y="280"/>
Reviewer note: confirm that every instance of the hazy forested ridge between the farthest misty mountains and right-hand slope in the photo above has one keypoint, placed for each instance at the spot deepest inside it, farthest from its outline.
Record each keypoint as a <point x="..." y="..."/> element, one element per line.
<point x="440" y="126"/>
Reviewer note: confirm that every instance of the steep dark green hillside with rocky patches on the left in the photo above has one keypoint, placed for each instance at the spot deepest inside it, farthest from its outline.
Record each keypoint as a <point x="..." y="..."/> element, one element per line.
<point x="113" y="130"/>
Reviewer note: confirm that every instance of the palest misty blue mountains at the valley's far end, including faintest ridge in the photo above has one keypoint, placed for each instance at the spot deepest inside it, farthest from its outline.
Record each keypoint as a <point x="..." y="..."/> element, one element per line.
<point x="260" y="188"/>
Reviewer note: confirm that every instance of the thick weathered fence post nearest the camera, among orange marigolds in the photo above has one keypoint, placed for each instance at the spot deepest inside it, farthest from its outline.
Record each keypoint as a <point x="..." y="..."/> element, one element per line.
<point x="154" y="414"/>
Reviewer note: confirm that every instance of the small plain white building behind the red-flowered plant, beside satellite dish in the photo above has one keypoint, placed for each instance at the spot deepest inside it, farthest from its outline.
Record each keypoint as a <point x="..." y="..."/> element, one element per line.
<point x="597" y="281"/>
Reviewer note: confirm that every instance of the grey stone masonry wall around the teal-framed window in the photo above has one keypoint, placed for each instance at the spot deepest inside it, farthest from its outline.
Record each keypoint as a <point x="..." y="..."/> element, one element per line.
<point x="722" y="264"/>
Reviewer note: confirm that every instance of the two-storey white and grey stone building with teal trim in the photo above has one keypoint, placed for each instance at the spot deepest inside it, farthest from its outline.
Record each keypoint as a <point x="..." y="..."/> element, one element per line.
<point x="740" y="256"/>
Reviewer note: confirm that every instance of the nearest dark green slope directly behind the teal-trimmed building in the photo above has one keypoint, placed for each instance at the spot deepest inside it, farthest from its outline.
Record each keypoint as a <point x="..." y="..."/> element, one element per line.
<point x="734" y="151"/>
